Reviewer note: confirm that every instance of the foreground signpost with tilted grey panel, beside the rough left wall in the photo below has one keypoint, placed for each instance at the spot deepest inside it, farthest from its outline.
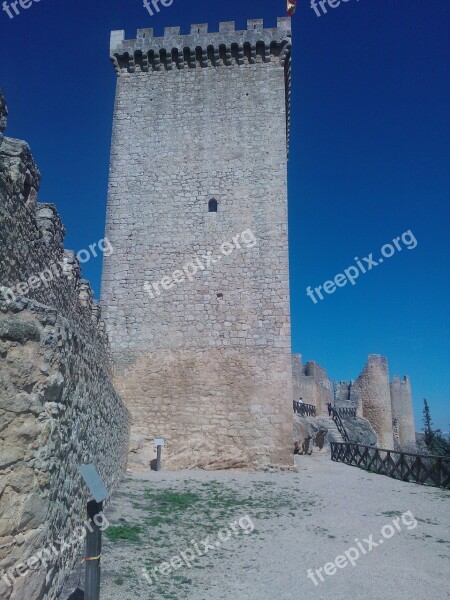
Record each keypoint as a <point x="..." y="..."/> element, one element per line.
<point x="94" y="533"/>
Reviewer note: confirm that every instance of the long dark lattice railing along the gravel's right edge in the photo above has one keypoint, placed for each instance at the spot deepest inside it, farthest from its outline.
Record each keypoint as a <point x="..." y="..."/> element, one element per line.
<point x="417" y="468"/>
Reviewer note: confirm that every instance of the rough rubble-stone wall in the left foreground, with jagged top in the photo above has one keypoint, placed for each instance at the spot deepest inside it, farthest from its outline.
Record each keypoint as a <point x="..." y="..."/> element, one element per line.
<point x="58" y="407"/>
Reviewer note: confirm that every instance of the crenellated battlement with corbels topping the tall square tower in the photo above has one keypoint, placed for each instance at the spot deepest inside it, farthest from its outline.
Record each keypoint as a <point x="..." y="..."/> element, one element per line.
<point x="201" y="48"/>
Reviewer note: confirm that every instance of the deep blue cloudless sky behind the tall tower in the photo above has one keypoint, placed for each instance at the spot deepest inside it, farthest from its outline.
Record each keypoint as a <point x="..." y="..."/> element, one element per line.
<point x="369" y="159"/>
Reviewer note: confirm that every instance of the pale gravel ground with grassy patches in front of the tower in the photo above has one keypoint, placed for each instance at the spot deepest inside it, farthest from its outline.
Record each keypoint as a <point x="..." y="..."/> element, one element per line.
<point x="301" y="521"/>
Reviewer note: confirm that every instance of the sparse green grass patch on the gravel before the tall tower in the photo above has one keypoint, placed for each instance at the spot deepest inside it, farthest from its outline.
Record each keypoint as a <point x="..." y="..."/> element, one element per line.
<point x="193" y="510"/>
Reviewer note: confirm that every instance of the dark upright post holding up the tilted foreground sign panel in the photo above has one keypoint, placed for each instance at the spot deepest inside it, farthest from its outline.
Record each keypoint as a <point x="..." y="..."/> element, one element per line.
<point x="93" y="552"/>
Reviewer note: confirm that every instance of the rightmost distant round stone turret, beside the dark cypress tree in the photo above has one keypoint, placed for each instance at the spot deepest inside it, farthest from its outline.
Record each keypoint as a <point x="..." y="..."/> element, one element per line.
<point x="402" y="410"/>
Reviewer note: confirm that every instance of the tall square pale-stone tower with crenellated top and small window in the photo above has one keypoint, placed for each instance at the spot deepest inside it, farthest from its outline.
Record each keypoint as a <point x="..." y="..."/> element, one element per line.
<point x="196" y="294"/>
